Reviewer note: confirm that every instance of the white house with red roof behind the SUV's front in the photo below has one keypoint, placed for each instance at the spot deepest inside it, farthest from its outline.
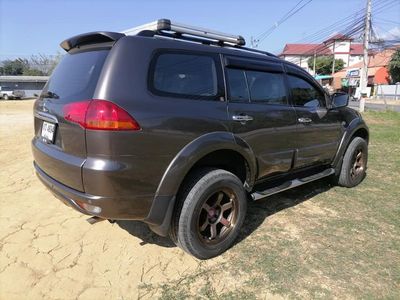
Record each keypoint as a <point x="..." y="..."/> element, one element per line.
<point x="339" y="45"/>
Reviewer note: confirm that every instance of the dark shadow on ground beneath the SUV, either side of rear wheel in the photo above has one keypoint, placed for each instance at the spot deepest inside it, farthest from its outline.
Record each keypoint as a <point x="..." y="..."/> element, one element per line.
<point x="257" y="212"/>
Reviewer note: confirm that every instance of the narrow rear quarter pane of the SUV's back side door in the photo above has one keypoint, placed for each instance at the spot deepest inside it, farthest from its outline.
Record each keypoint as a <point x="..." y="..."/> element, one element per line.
<point x="238" y="90"/>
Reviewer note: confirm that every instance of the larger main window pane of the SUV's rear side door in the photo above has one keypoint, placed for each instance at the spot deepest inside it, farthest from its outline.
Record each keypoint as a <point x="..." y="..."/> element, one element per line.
<point x="266" y="87"/>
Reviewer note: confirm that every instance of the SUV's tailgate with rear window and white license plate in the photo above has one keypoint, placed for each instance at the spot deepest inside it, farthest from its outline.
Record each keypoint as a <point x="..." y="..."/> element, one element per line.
<point x="59" y="146"/>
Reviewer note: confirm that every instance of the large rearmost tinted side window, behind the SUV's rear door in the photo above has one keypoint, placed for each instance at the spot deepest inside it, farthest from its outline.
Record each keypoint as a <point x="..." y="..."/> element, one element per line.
<point x="185" y="75"/>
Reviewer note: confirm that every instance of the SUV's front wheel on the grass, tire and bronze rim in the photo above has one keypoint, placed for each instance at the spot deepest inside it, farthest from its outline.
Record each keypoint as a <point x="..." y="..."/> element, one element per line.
<point x="354" y="164"/>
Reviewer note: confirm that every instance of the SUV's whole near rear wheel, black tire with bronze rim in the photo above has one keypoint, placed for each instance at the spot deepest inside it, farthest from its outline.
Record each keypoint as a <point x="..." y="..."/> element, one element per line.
<point x="196" y="219"/>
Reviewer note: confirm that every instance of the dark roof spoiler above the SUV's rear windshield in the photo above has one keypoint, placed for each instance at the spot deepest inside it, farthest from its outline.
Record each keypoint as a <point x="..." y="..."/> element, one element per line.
<point x="90" y="38"/>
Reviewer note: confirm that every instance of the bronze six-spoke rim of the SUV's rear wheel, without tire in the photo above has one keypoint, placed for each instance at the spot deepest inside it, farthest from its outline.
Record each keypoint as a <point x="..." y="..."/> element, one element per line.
<point x="218" y="216"/>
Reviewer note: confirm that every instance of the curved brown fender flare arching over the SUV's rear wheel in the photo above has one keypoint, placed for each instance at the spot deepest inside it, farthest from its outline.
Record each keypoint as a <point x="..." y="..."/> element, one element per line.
<point x="159" y="218"/>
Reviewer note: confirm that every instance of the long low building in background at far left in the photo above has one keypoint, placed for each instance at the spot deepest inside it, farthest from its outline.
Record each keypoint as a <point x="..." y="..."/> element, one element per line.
<point x="31" y="85"/>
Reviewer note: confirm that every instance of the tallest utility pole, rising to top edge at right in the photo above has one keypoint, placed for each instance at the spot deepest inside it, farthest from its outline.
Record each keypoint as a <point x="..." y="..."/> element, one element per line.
<point x="364" y="71"/>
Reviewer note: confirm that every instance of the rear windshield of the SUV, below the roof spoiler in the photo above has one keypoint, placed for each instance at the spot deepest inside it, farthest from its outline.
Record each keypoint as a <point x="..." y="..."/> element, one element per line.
<point x="76" y="76"/>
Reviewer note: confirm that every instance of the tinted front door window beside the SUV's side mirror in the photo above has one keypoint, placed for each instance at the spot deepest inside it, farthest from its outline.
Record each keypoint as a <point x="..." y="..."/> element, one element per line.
<point x="304" y="94"/>
